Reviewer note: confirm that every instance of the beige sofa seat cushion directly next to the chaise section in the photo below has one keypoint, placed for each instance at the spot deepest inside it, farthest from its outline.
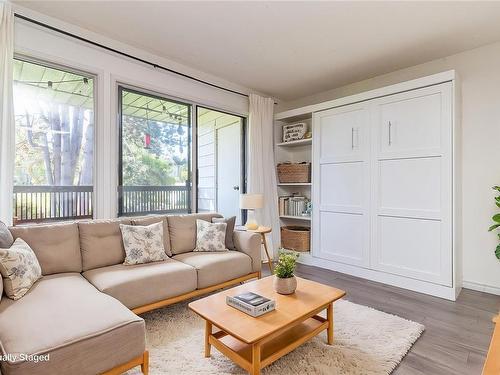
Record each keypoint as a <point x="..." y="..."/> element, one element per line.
<point x="142" y="284"/>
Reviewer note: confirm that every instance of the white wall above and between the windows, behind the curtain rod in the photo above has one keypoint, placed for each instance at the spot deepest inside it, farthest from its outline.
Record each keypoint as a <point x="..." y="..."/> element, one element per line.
<point x="111" y="69"/>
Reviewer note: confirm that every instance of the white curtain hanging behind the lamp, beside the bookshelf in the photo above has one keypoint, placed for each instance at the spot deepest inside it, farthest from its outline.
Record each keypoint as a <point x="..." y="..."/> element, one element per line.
<point x="261" y="165"/>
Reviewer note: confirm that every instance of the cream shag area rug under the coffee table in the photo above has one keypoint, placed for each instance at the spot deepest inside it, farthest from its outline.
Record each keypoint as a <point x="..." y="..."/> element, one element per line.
<point x="366" y="342"/>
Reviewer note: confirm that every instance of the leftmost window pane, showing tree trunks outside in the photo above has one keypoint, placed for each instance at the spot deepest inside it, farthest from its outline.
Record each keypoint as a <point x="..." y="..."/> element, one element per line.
<point x="54" y="119"/>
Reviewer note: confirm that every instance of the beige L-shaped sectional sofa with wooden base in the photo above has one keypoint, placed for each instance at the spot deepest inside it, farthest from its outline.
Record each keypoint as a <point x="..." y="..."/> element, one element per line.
<point x="82" y="313"/>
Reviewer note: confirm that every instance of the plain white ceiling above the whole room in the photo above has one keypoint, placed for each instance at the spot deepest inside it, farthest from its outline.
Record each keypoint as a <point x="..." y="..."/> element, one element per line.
<point x="289" y="49"/>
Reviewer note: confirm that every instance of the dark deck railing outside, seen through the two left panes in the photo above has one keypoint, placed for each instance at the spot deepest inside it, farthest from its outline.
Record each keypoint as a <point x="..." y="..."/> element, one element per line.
<point x="34" y="204"/>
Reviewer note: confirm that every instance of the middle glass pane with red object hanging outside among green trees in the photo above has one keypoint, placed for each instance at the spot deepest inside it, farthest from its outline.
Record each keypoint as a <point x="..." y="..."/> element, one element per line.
<point x="155" y="149"/>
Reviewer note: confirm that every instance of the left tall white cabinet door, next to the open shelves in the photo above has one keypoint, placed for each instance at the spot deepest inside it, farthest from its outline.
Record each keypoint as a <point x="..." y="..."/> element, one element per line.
<point x="341" y="185"/>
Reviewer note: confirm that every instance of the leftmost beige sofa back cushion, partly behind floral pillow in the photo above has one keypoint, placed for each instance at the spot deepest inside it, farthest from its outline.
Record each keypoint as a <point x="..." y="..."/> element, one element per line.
<point x="56" y="246"/>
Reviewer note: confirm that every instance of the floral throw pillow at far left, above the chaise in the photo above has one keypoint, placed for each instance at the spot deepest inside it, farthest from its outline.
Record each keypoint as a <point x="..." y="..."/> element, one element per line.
<point x="20" y="269"/>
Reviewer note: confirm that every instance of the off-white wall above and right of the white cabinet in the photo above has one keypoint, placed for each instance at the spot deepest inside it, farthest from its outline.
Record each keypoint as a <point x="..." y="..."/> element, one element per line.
<point x="479" y="71"/>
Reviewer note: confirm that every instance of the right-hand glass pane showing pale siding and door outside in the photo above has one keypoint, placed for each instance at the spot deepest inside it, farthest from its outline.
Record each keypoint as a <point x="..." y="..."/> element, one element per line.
<point x="220" y="150"/>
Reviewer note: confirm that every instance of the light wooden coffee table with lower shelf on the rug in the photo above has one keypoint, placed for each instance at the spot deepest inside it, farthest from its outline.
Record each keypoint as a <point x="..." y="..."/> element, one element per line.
<point x="254" y="343"/>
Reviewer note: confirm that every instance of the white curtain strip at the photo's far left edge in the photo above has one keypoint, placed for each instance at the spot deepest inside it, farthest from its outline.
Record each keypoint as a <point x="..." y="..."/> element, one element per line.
<point x="6" y="111"/>
